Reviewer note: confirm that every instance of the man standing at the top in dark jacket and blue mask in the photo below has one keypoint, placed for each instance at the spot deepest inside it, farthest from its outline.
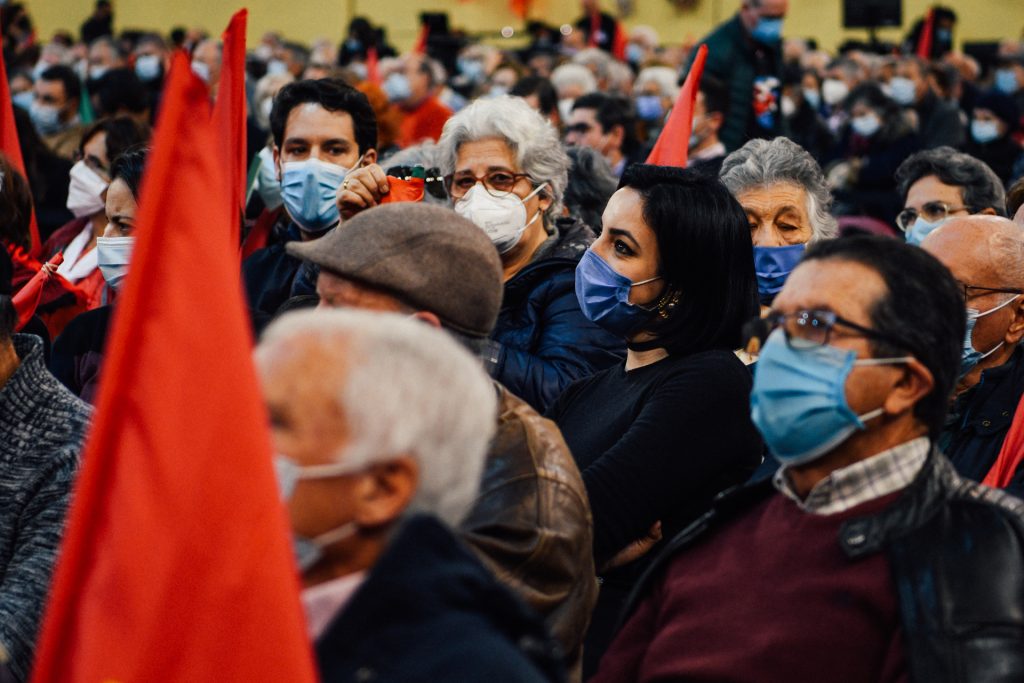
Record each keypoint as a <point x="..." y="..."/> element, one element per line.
<point x="747" y="54"/>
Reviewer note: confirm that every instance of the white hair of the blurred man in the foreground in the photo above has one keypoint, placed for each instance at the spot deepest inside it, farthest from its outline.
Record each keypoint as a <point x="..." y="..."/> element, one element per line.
<point x="407" y="390"/>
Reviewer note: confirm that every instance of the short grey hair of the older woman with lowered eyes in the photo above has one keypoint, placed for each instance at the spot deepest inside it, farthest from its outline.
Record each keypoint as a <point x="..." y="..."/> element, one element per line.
<point x="765" y="163"/>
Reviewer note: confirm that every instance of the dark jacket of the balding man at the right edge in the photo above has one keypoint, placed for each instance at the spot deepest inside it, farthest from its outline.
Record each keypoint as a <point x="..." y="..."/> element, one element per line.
<point x="980" y="419"/>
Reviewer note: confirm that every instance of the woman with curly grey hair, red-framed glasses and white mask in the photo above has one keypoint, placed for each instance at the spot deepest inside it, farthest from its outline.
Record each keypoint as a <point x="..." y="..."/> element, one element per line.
<point x="507" y="173"/>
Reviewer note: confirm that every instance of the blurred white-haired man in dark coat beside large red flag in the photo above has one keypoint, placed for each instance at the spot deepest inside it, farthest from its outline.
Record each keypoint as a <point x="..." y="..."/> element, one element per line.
<point x="381" y="424"/>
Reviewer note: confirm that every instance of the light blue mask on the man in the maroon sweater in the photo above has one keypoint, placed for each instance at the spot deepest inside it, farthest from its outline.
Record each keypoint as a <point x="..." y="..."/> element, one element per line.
<point x="799" y="399"/>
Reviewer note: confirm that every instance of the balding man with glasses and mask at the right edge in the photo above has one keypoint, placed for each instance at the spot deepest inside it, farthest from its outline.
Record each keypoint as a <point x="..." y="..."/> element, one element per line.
<point x="987" y="257"/>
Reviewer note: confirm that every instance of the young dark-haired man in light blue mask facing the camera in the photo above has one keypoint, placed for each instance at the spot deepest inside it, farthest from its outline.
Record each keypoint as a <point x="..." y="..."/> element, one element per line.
<point x="322" y="132"/>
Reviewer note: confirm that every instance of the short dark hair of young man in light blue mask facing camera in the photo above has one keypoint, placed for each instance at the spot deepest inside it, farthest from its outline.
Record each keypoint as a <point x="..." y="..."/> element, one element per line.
<point x="334" y="96"/>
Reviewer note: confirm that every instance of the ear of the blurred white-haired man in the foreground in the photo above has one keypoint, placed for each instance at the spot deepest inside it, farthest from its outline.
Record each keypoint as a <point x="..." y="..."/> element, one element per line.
<point x="386" y="492"/>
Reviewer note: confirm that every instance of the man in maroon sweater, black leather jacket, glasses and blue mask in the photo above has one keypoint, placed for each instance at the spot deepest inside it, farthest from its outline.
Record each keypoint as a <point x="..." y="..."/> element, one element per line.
<point x="866" y="558"/>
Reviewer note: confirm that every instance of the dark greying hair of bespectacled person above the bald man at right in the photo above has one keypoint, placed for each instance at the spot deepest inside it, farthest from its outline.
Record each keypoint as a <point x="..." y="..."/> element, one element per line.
<point x="979" y="185"/>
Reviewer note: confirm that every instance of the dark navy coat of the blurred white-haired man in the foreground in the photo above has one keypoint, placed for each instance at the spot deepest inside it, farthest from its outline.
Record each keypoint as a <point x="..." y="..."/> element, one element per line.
<point x="430" y="612"/>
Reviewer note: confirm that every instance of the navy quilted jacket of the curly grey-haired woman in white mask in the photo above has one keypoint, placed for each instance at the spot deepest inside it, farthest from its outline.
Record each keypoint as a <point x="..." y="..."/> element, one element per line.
<point x="543" y="343"/>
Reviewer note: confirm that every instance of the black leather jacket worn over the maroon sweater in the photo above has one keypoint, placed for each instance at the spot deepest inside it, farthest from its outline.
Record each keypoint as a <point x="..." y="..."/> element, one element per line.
<point x="957" y="554"/>
